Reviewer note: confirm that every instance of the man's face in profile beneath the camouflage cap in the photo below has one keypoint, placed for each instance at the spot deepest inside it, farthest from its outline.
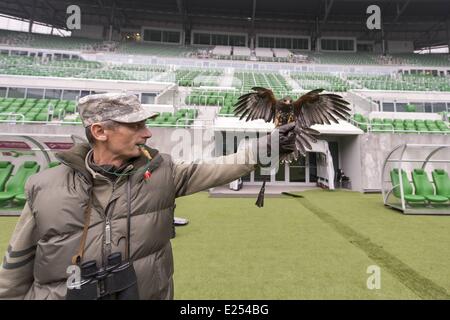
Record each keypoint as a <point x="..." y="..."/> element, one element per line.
<point x="122" y="140"/>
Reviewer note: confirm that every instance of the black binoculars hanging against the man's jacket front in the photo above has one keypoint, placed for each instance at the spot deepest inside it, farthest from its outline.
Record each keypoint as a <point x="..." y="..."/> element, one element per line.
<point x="116" y="281"/>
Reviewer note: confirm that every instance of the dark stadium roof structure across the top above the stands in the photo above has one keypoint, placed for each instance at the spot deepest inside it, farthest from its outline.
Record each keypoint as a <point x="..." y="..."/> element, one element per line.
<point x="424" y="21"/>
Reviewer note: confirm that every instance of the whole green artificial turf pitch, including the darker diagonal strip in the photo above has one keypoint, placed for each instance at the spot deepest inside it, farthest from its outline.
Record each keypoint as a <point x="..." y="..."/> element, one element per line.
<point x="315" y="247"/>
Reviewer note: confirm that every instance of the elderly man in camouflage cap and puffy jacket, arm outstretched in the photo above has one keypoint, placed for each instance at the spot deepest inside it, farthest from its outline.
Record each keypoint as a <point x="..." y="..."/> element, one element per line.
<point x="111" y="202"/>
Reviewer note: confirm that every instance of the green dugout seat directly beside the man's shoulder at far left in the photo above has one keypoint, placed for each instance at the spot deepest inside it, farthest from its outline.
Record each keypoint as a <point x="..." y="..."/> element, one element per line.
<point x="16" y="184"/>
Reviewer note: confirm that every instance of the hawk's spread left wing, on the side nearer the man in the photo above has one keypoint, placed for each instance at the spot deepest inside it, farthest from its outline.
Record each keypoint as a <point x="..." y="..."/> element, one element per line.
<point x="256" y="105"/>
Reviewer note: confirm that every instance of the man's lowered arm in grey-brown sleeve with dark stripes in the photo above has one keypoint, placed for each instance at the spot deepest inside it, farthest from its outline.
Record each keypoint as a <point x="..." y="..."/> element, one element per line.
<point x="16" y="271"/>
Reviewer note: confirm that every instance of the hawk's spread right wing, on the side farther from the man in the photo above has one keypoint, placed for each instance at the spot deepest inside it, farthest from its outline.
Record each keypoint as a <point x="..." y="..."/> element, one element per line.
<point x="315" y="108"/>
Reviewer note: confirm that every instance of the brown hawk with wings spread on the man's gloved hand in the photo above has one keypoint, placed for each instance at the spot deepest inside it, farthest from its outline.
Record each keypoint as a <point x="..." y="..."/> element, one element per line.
<point x="310" y="109"/>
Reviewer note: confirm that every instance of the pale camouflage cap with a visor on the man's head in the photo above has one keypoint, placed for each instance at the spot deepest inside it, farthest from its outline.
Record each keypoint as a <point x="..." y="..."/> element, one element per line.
<point x="119" y="107"/>
